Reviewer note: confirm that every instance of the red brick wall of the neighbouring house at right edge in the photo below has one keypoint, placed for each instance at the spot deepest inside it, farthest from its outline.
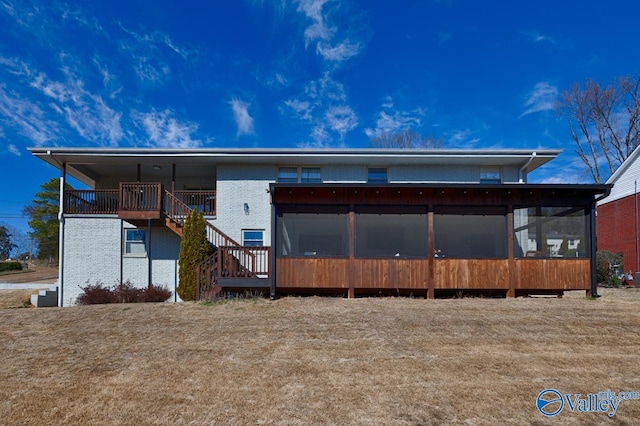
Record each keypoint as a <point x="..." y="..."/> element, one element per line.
<point x="615" y="228"/>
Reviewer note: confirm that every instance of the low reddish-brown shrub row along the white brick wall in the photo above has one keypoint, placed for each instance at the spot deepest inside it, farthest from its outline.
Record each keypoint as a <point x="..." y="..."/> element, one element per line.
<point x="94" y="294"/>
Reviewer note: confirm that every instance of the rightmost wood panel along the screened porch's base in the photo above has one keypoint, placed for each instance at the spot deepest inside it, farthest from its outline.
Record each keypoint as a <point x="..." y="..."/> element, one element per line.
<point x="552" y="274"/>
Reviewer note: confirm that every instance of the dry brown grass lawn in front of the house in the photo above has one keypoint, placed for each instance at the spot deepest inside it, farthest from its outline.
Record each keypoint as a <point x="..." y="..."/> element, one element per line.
<point x="318" y="361"/>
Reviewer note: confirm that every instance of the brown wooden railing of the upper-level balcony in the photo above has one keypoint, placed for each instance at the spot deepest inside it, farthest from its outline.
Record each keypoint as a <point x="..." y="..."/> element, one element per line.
<point x="135" y="200"/>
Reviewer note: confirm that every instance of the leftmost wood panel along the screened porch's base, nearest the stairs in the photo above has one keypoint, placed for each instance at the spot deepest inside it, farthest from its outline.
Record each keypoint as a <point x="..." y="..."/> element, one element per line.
<point x="312" y="272"/>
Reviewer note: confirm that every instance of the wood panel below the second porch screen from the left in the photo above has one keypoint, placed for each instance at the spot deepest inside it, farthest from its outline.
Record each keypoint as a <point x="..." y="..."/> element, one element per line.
<point x="391" y="273"/>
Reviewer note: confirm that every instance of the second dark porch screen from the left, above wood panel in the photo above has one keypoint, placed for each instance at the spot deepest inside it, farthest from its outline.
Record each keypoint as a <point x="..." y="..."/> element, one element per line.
<point x="391" y="232"/>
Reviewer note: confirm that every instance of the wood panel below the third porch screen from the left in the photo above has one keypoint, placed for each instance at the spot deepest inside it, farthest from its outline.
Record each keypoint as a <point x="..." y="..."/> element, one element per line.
<point x="489" y="274"/>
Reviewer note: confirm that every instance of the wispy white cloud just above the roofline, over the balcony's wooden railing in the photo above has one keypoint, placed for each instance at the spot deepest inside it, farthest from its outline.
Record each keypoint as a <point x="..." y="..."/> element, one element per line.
<point x="165" y="131"/>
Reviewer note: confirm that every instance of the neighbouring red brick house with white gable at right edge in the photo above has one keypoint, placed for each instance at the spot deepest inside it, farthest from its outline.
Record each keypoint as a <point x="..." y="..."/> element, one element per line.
<point x="618" y="214"/>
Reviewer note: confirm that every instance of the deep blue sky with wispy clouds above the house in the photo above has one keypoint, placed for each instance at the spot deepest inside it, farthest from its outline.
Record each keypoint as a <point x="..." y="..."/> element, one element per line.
<point x="296" y="73"/>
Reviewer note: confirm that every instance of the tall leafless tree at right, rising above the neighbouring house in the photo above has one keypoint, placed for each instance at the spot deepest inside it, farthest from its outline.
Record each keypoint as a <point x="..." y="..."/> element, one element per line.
<point x="604" y="122"/>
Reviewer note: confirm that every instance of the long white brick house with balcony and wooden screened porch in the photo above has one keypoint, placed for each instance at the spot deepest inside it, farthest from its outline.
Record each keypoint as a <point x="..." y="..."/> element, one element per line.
<point x="338" y="221"/>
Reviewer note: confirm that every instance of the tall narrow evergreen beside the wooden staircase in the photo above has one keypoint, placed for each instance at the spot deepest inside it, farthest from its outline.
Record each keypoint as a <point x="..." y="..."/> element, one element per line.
<point x="194" y="248"/>
